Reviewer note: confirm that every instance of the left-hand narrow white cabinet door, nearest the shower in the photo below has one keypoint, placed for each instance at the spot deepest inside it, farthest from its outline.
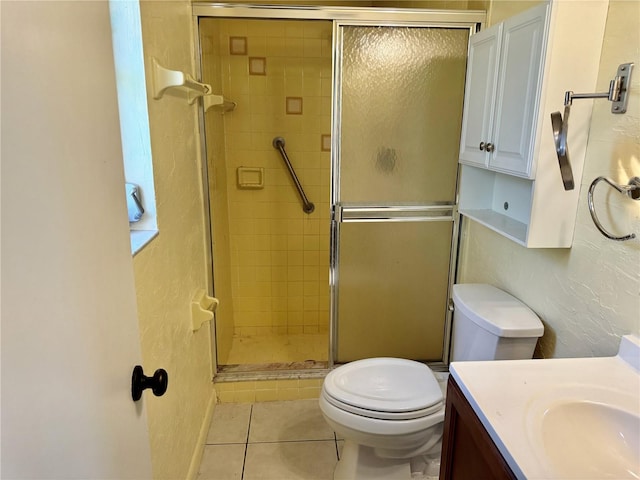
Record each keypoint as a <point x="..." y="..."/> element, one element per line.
<point x="482" y="74"/>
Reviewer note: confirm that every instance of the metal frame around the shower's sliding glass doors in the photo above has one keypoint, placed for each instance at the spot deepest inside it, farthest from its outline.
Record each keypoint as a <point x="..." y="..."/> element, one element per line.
<point x="340" y="16"/>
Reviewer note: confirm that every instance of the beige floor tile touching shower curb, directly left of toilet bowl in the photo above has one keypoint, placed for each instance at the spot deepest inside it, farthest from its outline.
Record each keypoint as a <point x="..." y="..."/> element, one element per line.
<point x="288" y="421"/>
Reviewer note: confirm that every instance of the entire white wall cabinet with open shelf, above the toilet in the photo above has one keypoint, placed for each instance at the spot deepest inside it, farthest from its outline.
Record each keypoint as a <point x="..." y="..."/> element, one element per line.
<point x="518" y="73"/>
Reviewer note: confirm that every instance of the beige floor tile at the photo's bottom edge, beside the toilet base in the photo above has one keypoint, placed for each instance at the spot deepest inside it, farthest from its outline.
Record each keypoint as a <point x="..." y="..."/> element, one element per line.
<point x="290" y="461"/>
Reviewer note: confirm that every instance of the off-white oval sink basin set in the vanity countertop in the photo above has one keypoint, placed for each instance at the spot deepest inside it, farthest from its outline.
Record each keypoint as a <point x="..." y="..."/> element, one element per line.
<point x="592" y="440"/>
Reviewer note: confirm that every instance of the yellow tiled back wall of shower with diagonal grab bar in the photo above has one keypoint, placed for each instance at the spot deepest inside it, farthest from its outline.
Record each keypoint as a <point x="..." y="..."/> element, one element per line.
<point x="279" y="255"/>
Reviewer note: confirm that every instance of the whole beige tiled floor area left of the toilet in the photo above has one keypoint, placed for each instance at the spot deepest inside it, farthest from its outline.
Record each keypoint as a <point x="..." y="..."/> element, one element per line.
<point x="286" y="440"/>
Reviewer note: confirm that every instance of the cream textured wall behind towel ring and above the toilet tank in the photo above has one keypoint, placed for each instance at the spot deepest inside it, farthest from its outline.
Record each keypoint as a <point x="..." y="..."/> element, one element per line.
<point x="587" y="296"/>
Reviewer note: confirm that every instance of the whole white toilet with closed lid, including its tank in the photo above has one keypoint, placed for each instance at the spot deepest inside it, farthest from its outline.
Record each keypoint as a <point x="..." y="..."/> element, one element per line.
<point x="390" y="411"/>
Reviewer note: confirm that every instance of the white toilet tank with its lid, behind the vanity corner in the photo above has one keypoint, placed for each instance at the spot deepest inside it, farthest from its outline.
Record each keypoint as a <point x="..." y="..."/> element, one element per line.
<point x="490" y="324"/>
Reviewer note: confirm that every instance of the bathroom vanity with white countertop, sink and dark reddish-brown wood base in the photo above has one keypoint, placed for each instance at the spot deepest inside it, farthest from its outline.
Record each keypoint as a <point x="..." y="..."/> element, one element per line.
<point x="570" y="418"/>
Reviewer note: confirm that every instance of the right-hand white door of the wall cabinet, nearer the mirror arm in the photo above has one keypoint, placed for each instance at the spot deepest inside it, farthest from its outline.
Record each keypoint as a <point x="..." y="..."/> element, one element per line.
<point x="518" y="92"/>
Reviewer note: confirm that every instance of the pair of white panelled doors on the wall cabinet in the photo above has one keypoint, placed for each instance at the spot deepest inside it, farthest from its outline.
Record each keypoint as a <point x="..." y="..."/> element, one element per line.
<point x="504" y="80"/>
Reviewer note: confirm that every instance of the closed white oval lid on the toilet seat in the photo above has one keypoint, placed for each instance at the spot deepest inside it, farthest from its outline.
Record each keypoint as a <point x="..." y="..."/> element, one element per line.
<point x="384" y="385"/>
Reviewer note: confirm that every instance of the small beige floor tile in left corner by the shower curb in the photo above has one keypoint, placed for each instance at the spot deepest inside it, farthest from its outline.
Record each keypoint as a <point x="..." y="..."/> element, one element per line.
<point x="229" y="424"/>
